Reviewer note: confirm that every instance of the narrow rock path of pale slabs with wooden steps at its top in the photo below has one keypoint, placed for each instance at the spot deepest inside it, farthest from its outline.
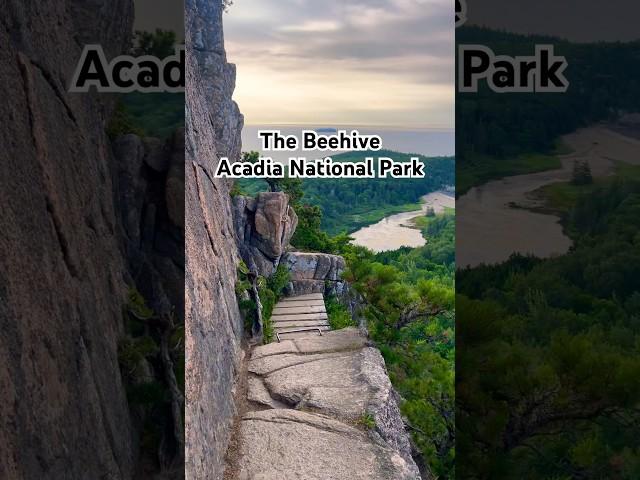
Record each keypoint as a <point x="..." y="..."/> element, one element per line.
<point x="321" y="406"/>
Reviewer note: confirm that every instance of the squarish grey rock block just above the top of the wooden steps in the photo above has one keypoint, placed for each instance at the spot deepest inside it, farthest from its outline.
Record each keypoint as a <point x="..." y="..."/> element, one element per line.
<point x="314" y="273"/>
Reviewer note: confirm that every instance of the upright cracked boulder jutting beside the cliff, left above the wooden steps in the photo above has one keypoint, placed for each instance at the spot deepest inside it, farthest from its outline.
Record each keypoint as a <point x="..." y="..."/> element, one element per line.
<point x="264" y="226"/>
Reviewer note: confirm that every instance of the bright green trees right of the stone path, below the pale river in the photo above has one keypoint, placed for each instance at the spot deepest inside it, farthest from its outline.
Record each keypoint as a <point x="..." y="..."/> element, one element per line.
<point x="411" y="316"/>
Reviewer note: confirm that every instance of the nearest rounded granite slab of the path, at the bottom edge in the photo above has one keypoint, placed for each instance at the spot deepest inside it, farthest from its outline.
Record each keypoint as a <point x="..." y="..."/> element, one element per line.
<point x="310" y="446"/>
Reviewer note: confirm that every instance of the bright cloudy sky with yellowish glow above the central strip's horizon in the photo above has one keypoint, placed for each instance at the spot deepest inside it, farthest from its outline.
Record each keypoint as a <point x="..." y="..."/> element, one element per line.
<point x="343" y="62"/>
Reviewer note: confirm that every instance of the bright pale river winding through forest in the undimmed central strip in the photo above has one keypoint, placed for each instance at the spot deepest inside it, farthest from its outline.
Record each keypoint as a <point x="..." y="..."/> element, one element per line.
<point x="397" y="230"/>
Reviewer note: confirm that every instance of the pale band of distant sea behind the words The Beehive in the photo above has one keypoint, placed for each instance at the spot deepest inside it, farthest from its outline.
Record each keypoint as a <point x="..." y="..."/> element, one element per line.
<point x="430" y="143"/>
